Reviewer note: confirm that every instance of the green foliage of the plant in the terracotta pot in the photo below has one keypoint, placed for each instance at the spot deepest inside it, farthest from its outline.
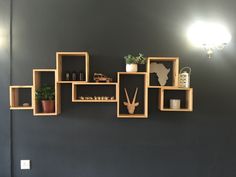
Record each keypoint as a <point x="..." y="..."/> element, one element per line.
<point x="45" y="93"/>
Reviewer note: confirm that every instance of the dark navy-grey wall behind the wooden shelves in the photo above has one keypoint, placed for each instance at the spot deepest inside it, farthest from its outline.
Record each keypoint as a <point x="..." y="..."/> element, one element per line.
<point x="87" y="140"/>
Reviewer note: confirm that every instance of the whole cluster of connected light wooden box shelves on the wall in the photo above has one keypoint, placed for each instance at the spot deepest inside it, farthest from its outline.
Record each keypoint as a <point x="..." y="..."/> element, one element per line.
<point x="114" y="91"/>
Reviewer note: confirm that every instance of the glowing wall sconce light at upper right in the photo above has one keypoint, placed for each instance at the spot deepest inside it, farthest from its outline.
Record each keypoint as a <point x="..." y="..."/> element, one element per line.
<point x="210" y="36"/>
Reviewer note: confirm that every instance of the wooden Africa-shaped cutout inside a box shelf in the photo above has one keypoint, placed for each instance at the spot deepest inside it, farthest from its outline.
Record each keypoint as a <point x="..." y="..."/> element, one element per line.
<point x="161" y="72"/>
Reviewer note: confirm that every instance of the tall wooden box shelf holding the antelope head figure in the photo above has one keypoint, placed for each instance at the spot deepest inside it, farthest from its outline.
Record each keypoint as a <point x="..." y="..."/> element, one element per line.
<point x="131" y="81"/>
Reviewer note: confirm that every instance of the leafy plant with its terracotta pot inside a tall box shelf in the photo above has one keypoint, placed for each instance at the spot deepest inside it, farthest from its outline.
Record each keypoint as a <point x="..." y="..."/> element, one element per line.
<point x="46" y="95"/>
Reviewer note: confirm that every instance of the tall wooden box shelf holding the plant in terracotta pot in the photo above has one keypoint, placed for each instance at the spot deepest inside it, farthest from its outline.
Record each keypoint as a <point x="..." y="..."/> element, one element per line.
<point x="45" y="77"/>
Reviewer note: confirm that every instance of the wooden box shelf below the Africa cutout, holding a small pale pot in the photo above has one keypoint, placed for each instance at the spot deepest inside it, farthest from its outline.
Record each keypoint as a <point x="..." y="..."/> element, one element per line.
<point x="184" y="94"/>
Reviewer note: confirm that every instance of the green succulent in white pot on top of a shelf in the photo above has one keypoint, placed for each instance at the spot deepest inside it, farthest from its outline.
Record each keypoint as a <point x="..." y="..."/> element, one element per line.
<point x="133" y="61"/>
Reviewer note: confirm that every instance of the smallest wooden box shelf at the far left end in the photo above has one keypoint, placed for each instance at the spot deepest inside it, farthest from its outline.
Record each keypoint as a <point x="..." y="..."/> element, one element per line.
<point x="21" y="97"/>
